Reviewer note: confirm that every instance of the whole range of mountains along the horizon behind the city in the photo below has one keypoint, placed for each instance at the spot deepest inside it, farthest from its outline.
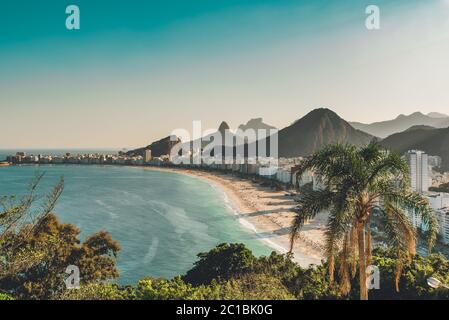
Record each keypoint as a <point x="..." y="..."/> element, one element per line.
<point x="321" y="127"/>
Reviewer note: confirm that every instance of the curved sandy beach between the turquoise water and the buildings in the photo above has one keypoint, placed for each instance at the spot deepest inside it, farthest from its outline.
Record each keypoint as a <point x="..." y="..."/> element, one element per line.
<point x="267" y="213"/>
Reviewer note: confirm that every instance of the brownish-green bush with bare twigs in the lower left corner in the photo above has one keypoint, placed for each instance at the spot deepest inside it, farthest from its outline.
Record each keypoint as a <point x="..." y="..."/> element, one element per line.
<point x="36" y="249"/>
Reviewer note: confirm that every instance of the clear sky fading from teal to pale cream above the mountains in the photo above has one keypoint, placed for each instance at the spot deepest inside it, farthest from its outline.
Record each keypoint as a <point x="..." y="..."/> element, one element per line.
<point x="136" y="70"/>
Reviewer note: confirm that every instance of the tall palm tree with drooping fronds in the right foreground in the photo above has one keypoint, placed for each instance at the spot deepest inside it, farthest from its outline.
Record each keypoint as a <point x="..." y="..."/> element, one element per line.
<point x="356" y="183"/>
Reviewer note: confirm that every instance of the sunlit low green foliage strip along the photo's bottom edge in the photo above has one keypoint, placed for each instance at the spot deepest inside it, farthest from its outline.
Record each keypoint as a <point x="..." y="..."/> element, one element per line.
<point x="276" y="277"/>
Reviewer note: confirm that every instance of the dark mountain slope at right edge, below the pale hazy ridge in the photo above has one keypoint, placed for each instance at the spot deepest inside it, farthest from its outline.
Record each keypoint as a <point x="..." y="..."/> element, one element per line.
<point x="433" y="141"/>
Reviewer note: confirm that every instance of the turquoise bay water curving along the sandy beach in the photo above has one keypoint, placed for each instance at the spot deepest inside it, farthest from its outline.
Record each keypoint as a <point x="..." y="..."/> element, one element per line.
<point x="161" y="220"/>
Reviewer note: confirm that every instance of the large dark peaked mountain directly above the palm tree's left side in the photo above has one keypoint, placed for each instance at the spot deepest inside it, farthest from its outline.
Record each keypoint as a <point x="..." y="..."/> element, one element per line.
<point x="315" y="130"/>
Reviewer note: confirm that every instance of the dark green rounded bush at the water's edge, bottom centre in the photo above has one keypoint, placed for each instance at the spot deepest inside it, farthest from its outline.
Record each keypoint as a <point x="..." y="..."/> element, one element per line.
<point x="222" y="262"/>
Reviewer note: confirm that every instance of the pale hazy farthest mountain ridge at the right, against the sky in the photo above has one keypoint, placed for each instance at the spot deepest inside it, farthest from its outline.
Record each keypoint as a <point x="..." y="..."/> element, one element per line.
<point x="384" y="129"/>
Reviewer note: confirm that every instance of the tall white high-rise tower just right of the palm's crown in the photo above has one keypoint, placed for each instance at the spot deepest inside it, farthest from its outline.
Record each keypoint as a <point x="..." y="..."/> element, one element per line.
<point x="418" y="162"/>
